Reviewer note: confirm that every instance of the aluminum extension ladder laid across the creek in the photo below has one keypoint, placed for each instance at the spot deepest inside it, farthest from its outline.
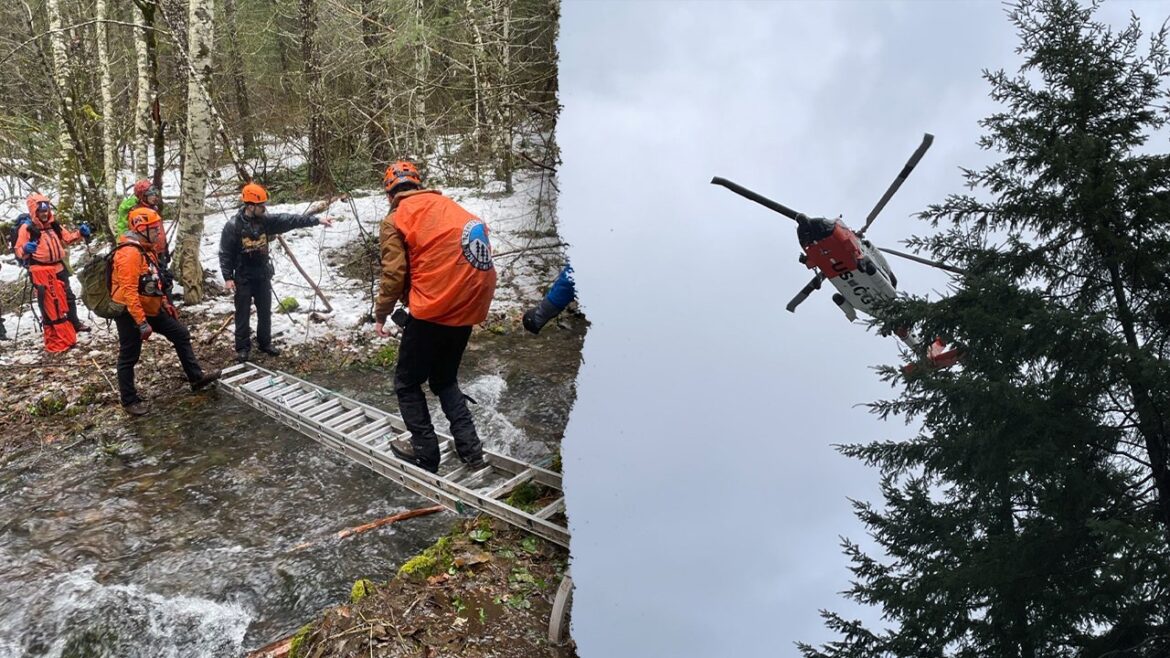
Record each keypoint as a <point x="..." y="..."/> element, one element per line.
<point x="363" y="434"/>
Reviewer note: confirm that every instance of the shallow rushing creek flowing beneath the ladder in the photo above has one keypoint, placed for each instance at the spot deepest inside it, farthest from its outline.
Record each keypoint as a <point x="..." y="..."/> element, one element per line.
<point x="180" y="536"/>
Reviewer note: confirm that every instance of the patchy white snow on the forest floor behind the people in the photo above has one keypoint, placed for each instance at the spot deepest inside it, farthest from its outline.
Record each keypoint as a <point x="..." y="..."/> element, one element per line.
<point x="522" y="232"/>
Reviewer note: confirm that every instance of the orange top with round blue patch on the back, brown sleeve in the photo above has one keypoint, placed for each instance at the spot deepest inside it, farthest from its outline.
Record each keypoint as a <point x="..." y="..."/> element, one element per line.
<point x="441" y="253"/>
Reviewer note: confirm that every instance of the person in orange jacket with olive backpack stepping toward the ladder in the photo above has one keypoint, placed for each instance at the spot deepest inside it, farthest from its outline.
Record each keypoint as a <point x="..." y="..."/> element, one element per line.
<point x="136" y="282"/>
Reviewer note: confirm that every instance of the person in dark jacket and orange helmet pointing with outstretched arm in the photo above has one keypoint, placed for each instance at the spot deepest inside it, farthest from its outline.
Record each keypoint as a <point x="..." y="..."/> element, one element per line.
<point x="247" y="269"/>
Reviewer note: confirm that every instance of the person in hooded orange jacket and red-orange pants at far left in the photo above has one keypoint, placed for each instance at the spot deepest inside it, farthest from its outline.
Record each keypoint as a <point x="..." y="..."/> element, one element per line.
<point x="42" y="245"/>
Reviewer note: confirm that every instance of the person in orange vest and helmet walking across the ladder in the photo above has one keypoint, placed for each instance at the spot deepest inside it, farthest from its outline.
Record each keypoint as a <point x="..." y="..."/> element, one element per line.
<point x="437" y="259"/>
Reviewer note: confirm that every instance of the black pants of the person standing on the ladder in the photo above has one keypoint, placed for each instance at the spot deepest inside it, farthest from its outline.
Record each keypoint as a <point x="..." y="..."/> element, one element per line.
<point x="432" y="353"/>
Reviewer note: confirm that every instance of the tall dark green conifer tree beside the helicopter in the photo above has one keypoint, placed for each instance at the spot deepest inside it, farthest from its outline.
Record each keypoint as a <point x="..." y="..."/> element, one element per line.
<point x="1030" y="517"/>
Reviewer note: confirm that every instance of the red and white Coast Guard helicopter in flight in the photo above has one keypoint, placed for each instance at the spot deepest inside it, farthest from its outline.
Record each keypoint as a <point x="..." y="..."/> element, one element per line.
<point x="852" y="264"/>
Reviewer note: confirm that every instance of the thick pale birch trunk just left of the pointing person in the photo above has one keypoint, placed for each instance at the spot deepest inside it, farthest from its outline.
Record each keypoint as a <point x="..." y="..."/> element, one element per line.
<point x="198" y="152"/>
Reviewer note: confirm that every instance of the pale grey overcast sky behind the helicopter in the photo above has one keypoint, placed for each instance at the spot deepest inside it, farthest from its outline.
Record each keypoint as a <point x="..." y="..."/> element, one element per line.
<point x="707" y="501"/>
